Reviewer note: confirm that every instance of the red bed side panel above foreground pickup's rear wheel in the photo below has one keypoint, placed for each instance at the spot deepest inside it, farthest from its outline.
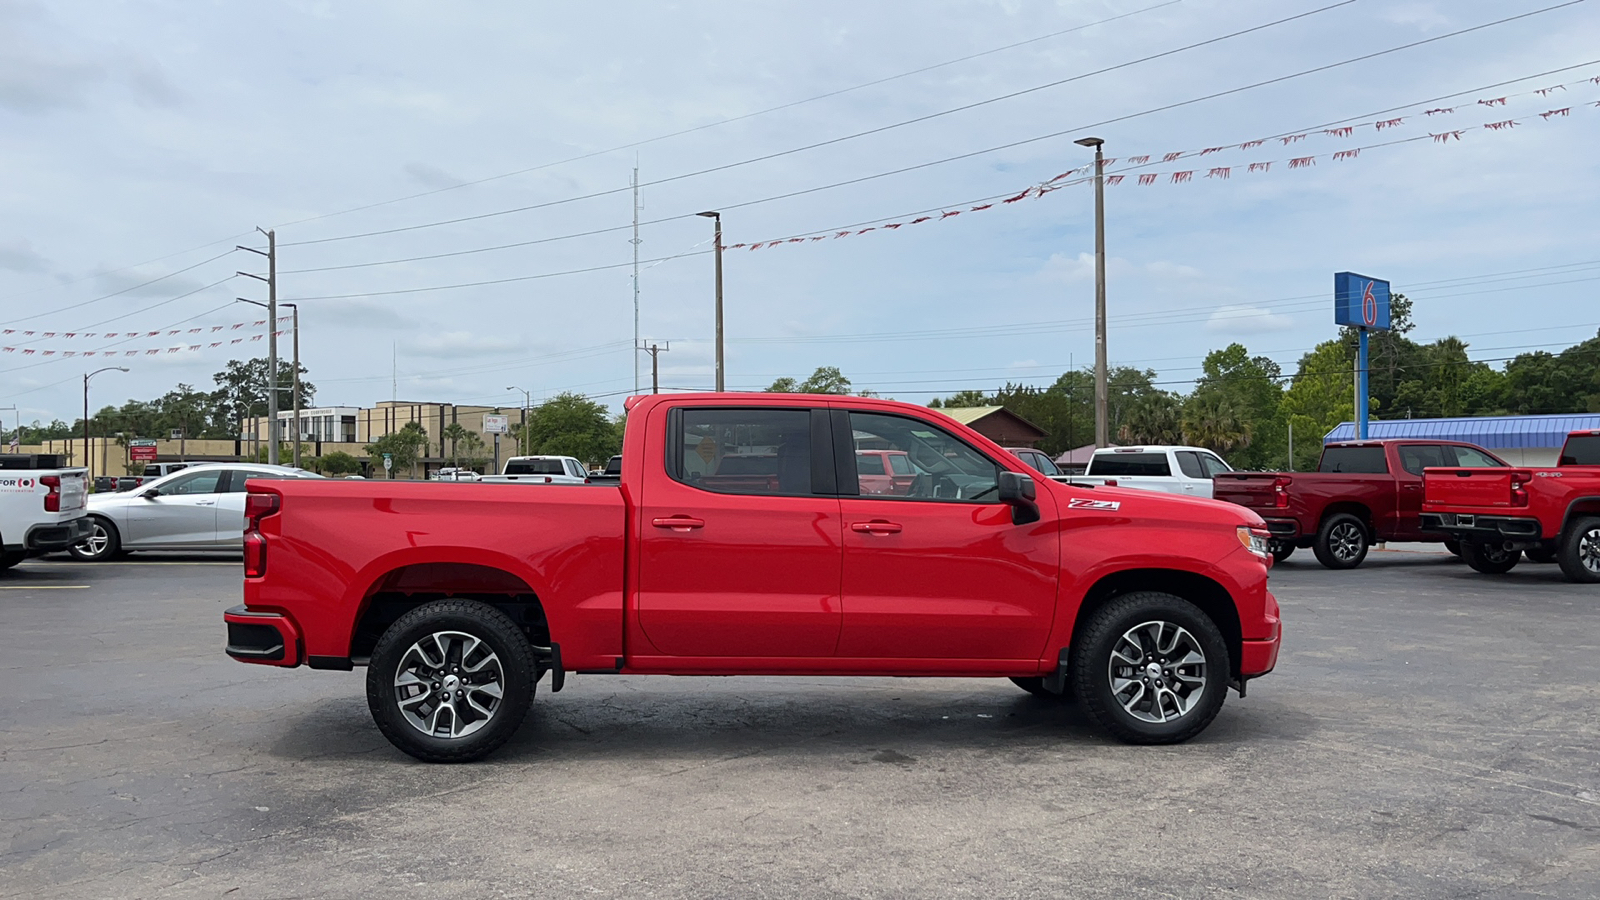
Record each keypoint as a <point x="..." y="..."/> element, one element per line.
<point x="566" y="544"/>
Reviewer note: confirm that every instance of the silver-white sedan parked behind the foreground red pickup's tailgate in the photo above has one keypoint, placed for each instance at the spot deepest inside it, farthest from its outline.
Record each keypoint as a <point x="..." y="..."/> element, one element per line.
<point x="198" y="508"/>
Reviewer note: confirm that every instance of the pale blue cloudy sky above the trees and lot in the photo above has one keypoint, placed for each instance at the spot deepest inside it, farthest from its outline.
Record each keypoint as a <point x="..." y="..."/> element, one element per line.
<point x="450" y="188"/>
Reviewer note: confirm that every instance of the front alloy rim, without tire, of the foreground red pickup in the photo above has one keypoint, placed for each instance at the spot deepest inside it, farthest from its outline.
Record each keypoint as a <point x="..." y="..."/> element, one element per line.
<point x="1158" y="672"/>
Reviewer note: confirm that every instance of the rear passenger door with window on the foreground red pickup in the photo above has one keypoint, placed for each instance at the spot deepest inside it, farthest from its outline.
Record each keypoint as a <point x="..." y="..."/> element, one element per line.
<point x="740" y="539"/>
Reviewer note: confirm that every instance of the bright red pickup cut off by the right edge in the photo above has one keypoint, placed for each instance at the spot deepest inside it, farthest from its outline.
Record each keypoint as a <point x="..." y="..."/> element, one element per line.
<point x="1498" y="515"/>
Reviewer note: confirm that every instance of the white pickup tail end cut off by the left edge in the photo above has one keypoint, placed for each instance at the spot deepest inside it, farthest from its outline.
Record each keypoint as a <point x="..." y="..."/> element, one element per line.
<point x="42" y="507"/>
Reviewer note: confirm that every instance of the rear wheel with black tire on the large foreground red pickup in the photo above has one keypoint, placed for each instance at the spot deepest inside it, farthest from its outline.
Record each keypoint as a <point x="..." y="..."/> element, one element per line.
<point x="513" y="673"/>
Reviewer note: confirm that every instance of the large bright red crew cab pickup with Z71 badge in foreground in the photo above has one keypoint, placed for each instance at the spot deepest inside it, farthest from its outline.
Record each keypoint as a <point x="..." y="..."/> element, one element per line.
<point x="460" y="598"/>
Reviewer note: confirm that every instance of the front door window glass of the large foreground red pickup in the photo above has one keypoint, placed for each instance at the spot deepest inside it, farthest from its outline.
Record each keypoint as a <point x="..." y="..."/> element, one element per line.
<point x="946" y="467"/>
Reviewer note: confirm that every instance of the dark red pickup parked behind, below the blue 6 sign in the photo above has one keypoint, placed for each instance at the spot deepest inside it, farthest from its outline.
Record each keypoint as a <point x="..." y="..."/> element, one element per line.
<point x="1362" y="492"/>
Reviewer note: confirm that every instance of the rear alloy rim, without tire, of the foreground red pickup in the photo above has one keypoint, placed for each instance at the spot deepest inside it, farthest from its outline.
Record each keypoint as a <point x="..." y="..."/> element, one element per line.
<point x="449" y="685"/>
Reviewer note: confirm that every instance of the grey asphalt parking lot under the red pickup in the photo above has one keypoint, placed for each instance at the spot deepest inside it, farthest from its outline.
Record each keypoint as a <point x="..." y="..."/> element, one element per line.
<point x="1430" y="733"/>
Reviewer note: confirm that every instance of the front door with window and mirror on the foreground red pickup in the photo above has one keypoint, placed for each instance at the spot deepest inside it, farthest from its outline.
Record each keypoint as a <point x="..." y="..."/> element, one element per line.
<point x="940" y="573"/>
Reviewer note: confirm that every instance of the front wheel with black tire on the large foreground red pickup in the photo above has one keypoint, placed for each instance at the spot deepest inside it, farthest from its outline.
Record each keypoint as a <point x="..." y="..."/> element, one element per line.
<point x="1122" y="621"/>
